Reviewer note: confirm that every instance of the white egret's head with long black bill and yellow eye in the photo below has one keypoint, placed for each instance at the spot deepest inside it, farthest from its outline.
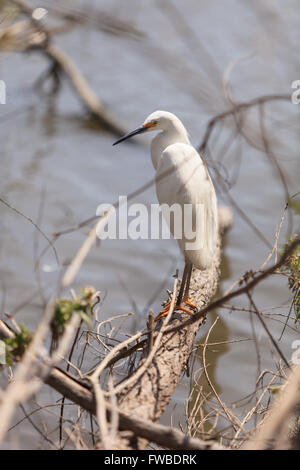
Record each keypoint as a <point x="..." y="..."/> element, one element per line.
<point x="157" y="121"/>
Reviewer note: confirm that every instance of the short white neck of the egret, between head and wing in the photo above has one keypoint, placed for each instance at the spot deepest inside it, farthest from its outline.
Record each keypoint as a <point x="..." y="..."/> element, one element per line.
<point x="174" y="134"/>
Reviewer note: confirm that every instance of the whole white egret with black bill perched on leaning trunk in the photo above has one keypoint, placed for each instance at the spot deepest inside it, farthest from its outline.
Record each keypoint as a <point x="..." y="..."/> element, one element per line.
<point x="182" y="178"/>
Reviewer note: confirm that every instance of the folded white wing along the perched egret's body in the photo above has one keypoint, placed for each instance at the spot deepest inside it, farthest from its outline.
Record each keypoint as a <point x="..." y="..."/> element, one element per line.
<point x="182" y="178"/>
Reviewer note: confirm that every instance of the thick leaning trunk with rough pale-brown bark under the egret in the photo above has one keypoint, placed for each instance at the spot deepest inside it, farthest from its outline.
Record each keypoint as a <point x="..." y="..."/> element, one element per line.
<point x="149" y="397"/>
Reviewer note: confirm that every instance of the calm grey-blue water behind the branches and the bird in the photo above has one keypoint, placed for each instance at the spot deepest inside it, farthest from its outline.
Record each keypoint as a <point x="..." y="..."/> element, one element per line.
<point x="57" y="166"/>
